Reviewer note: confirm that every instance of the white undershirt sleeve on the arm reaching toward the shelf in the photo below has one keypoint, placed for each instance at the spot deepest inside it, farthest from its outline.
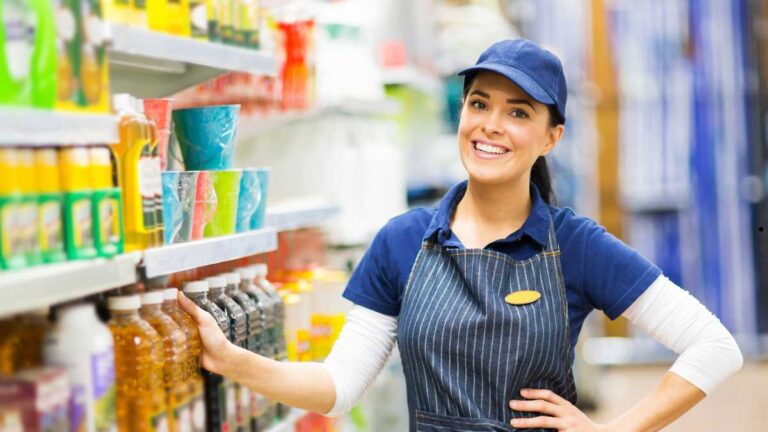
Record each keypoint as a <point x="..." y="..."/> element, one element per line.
<point x="359" y="354"/>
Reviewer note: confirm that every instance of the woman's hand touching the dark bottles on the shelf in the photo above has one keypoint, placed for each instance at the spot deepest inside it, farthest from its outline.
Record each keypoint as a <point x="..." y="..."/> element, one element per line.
<point x="216" y="348"/>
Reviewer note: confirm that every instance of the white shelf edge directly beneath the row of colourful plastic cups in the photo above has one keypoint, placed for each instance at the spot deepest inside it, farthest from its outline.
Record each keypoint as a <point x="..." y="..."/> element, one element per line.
<point x="184" y="256"/>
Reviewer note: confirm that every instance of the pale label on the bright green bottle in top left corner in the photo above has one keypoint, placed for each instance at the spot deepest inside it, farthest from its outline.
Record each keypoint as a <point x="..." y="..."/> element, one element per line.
<point x="19" y="24"/>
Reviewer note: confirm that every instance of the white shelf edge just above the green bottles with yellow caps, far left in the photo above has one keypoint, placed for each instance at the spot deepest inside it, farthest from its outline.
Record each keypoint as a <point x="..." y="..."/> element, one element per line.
<point x="33" y="127"/>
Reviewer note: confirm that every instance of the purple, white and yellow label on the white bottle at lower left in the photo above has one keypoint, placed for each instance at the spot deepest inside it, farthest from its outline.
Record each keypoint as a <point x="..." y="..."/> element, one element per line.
<point x="103" y="378"/>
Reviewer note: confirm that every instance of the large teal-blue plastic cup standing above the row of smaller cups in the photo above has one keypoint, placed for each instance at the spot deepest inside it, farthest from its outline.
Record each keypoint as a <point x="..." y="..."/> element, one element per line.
<point x="206" y="136"/>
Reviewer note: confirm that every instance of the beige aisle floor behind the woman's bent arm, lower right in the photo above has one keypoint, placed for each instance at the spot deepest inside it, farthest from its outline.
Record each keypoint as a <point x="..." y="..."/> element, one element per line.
<point x="738" y="405"/>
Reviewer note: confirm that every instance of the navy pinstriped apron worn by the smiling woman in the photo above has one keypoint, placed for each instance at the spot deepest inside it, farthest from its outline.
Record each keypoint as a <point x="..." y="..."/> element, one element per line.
<point x="466" y="352"/>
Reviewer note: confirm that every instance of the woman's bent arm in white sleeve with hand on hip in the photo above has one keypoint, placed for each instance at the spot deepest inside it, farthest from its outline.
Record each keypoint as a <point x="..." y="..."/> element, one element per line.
<point x="709" y="355"/>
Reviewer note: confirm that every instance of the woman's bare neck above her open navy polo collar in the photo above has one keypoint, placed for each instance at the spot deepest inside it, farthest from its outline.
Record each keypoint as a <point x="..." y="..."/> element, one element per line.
<point x="489" y="212"/>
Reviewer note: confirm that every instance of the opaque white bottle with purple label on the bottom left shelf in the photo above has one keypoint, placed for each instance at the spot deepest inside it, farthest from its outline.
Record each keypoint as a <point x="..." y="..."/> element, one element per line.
<point x="83" y="345"/>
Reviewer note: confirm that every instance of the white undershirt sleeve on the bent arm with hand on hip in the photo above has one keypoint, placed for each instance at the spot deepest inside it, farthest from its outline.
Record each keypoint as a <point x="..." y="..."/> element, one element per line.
<point x="708" y="352"/>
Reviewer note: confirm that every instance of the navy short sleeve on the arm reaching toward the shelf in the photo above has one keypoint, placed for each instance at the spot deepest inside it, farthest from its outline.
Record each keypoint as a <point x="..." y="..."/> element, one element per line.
<point x="373" y="283"/>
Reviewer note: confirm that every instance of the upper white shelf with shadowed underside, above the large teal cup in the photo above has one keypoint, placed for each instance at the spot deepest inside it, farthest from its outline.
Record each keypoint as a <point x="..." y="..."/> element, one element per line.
<point x="151" y="64"/>
